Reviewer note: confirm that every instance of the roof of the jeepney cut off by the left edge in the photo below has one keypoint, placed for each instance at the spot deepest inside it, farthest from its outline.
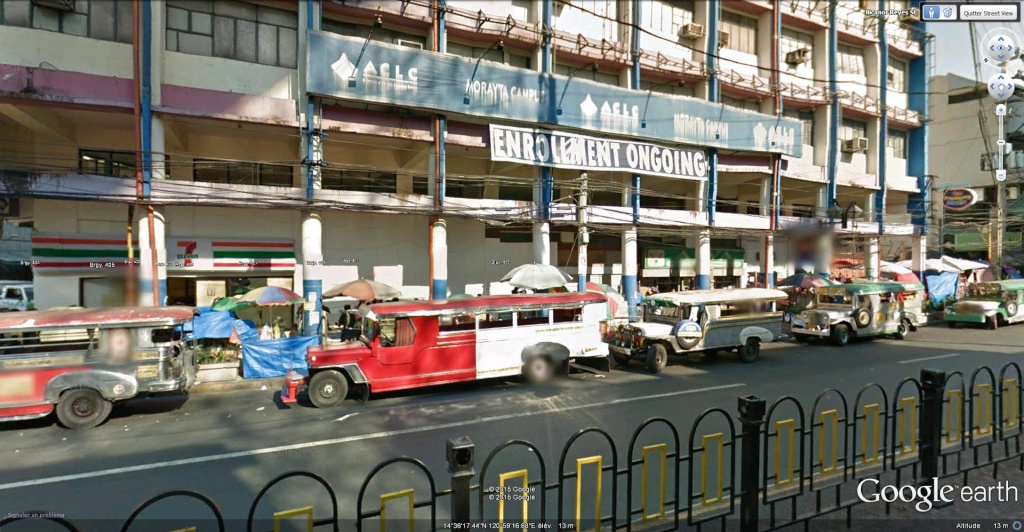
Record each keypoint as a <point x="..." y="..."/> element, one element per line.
<point x="102" y="318"/>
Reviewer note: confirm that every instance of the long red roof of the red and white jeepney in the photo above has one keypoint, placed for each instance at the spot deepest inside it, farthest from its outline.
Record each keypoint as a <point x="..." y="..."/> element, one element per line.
<point x="487" y="303"/>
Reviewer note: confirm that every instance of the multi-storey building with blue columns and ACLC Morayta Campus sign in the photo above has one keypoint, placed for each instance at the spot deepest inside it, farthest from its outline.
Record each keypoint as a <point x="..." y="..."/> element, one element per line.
<point x="434" y="146"/>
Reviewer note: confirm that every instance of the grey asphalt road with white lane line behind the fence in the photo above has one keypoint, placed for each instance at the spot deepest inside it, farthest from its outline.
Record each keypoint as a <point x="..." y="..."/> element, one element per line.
<point x="228" y="447"/>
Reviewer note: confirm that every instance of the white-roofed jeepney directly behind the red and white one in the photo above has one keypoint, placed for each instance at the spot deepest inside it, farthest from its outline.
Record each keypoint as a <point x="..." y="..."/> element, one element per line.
<point x="701" y="322"/>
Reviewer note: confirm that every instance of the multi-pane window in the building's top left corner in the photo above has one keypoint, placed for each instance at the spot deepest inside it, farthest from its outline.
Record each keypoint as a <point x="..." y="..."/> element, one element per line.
<point x="104" y="20"/>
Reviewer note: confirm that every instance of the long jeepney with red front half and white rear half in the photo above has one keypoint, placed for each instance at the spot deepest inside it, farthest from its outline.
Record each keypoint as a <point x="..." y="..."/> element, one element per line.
<point x="414" y="344"/>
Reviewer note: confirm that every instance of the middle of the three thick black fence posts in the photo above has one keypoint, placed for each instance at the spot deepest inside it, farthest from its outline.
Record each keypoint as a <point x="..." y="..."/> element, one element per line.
<point x="752" y="416"/>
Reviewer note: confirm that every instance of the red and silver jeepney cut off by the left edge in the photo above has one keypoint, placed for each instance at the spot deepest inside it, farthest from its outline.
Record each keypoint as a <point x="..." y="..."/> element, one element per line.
<point x="81" y="362"/>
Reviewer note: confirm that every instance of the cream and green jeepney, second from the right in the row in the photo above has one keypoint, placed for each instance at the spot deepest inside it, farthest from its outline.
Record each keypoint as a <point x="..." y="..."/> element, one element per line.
<point x="859" y="311"/>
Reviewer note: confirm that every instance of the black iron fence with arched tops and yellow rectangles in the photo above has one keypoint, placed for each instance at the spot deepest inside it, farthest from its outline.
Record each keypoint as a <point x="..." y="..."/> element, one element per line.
<point x="764" y="467"/>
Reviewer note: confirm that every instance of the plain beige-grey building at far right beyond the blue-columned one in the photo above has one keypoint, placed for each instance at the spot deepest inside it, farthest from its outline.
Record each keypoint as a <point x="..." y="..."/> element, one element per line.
<point x="964" y="117"/>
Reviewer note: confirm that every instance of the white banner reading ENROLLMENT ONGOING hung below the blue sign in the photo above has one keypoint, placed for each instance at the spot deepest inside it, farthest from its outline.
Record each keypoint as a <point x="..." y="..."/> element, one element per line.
<point x="560" y="150"/>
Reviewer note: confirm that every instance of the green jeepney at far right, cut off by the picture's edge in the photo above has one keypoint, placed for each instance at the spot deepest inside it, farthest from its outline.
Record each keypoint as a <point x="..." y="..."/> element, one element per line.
<point x="993" y="303"/>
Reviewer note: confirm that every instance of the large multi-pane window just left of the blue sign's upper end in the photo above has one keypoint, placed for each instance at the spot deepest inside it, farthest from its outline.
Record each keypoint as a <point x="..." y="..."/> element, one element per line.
<point x="234" y="31"/>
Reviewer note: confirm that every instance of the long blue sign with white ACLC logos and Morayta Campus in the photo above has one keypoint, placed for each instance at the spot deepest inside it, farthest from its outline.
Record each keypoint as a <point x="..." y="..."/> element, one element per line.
<point x="353" y="69"/>
